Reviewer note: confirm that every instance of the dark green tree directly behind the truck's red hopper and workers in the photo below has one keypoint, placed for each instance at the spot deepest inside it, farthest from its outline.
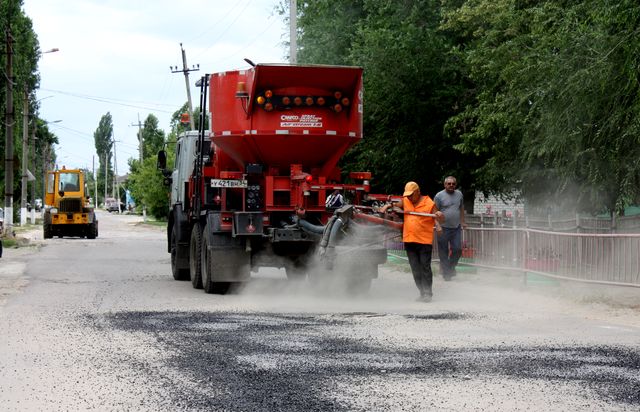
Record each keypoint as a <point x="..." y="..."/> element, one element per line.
<point x="412" y="83"/>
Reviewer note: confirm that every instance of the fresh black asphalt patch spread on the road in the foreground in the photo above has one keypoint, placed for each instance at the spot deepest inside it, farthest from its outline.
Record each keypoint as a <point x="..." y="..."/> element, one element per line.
<point x="266" y="361"/>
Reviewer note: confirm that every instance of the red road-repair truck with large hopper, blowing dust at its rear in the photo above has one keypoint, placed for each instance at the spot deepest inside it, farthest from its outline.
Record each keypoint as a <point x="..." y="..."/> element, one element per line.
<point x="251" y="189"/>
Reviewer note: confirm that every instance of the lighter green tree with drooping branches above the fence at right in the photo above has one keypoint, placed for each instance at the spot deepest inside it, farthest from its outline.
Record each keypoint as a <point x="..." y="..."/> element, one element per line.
<point x="553" y="109"/>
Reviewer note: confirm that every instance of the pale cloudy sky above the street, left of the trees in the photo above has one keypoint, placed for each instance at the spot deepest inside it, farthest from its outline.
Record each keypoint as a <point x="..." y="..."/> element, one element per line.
<point x="115" y="56"/>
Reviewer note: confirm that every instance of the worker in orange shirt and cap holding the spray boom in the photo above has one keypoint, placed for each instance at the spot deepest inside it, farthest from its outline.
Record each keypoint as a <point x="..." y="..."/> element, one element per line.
<point x="417" y="235"/>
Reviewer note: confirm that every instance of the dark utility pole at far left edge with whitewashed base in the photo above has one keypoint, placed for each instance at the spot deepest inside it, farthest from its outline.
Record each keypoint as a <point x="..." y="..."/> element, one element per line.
<point x="9" y="124"/>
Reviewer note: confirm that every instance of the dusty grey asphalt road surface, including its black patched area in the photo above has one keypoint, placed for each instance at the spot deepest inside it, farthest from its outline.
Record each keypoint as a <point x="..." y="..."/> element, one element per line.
<point x="101" y="325"/>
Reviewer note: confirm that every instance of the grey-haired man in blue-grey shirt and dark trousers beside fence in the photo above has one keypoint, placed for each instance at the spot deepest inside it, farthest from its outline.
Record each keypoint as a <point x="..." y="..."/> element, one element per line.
<point x="450" y="202"/>
